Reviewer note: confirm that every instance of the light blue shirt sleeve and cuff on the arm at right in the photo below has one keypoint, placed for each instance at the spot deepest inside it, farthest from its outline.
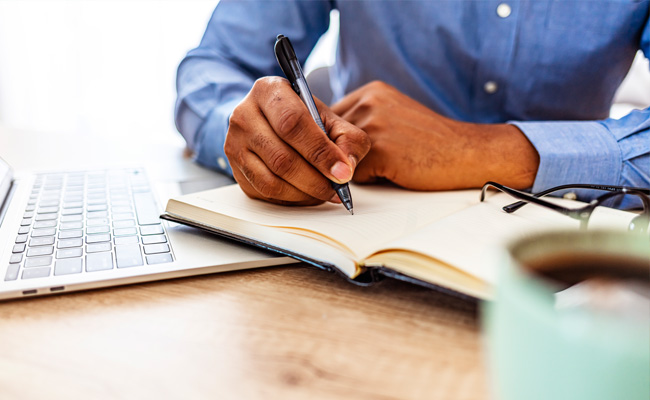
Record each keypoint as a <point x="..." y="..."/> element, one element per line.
<point x="611" y="151"/>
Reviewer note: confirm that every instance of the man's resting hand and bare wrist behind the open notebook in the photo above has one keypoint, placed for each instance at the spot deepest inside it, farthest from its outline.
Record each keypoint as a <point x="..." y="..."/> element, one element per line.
<point x="419" y="149"/>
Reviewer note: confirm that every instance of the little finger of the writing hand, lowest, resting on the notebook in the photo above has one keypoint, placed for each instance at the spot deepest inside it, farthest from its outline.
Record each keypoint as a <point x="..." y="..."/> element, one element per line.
<point x="259" y="182"/>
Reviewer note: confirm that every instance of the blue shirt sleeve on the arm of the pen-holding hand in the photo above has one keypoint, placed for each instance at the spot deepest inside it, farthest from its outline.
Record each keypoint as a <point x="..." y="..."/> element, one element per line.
<point x="237" y="49"/>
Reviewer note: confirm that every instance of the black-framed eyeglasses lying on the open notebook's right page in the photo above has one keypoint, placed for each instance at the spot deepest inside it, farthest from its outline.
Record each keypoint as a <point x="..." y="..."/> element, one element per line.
<point x="638" y="224"/>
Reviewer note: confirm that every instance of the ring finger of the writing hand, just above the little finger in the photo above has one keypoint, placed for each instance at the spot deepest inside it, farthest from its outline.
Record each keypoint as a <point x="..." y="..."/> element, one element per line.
<point x="285" y="163"/>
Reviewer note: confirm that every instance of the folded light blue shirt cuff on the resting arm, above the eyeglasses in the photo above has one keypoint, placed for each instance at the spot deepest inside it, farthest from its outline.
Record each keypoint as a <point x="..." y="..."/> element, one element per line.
<point x="573" y="152"/>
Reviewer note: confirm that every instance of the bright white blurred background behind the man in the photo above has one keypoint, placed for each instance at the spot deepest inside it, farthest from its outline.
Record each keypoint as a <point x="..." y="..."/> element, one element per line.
<point x="98" y="67"/>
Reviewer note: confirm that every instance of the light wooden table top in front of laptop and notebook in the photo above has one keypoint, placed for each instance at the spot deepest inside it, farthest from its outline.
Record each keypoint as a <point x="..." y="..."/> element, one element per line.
<point x="283" y="332"/>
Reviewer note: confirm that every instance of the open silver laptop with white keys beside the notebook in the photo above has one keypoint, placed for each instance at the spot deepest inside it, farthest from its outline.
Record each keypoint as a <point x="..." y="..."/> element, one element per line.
<point x="77" y="230"/>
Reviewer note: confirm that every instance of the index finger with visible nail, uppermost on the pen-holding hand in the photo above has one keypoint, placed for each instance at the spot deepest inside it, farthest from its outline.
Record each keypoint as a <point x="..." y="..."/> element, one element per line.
<point x="291" y="121"/>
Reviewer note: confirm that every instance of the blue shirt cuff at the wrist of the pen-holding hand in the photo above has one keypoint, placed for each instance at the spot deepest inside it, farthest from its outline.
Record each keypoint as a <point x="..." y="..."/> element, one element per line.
<point x="211" y="137"/>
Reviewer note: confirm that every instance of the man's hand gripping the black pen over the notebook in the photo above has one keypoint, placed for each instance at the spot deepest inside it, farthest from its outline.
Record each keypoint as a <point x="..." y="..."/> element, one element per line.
<point x="279" y="154"/>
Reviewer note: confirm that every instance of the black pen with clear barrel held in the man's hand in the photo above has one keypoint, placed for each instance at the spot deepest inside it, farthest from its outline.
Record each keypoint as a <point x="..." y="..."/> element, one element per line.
<point x="291" y="68"/>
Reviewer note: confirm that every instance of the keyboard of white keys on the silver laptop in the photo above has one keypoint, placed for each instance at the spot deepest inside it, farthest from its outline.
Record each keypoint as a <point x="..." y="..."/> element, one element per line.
<point x="82" y="222"/>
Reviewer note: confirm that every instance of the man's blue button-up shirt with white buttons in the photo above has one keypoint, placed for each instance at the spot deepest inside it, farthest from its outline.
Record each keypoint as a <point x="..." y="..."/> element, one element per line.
<point x="549" y="67"/>
